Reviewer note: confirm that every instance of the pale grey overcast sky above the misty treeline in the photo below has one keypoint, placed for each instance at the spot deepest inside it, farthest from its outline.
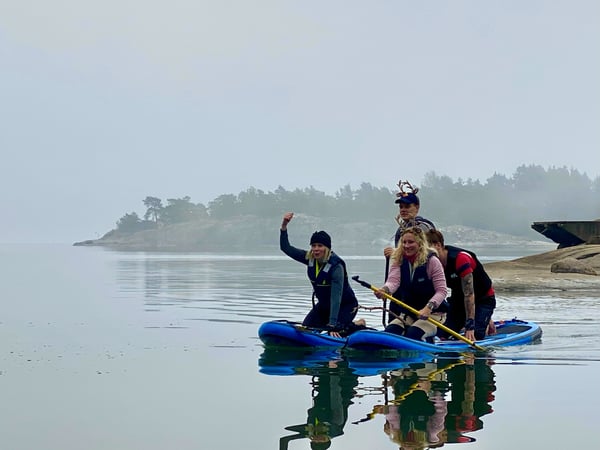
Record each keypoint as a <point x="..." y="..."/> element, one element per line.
<point x="106" y="102"/>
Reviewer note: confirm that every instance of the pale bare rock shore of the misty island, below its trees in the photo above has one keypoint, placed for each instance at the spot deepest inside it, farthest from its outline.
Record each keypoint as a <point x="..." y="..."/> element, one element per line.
<point x="261" y="235"/>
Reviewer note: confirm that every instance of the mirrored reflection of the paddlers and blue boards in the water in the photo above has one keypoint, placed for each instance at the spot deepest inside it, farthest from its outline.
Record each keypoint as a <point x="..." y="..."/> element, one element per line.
<point x="424" y="402"/>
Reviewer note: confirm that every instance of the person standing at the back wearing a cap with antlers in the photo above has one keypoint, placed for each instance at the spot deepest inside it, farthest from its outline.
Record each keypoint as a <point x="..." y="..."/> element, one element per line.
<point x="409" y="204"/>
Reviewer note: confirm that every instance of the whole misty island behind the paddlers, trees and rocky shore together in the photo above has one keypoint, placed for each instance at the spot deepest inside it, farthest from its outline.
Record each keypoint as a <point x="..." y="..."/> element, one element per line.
<point x="361" y="220"/>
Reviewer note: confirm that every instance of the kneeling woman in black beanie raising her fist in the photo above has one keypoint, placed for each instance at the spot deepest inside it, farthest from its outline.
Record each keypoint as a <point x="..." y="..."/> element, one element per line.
<point x="336" y="304"/>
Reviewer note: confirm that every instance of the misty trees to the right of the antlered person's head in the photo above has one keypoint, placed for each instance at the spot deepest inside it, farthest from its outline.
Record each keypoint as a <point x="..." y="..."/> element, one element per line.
<point x="510" y="205"/>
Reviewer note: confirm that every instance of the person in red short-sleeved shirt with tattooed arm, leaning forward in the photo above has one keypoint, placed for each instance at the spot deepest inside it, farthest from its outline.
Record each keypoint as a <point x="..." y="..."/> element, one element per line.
<point x="472" y="299"/>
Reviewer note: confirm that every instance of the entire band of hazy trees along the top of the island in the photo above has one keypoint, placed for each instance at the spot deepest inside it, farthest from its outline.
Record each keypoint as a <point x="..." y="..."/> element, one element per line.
<point x="504" y="204"/>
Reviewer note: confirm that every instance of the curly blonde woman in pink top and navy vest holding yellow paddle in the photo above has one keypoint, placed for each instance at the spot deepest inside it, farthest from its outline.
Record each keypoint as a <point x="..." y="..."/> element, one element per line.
<point x="417" y="276"/>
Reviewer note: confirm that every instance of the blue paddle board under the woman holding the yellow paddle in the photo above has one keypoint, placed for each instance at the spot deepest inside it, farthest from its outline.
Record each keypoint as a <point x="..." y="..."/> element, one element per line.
<point x="510" y="332"/>
